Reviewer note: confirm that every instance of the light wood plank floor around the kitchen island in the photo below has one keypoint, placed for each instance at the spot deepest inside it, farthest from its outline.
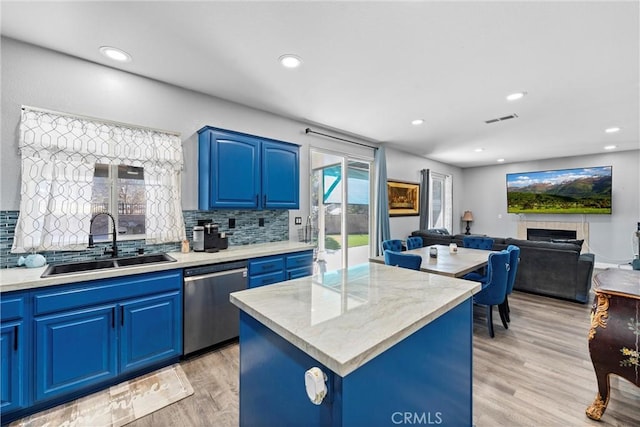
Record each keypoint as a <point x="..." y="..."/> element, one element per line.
<point x="536" y="373"/>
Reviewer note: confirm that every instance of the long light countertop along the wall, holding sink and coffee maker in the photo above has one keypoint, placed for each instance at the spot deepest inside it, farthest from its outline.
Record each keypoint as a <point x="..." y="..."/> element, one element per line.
<point x="21" y="278"/>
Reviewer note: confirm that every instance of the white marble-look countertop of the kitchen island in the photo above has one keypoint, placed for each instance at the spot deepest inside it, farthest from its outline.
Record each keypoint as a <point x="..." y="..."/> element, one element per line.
<point x="345" y="318"/>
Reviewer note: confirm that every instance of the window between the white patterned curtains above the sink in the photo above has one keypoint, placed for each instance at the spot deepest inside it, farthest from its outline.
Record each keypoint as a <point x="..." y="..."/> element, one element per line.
<point x="120" y="191"/>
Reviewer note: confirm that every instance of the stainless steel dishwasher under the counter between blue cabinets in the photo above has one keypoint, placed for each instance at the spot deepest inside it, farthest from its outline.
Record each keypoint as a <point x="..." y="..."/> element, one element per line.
<point x="209" y="318"/>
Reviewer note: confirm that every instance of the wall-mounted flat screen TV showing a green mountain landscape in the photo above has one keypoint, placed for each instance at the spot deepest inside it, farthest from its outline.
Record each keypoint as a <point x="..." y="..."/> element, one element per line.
<point x="562" y="191"/>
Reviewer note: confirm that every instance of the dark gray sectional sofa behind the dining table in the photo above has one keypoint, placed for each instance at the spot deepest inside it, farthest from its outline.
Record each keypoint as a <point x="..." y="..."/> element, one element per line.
<point x="555" y="268"/>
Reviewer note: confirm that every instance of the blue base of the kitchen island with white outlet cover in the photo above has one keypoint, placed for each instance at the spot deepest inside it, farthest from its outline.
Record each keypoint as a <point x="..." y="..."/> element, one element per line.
<point x="424" y="379"/>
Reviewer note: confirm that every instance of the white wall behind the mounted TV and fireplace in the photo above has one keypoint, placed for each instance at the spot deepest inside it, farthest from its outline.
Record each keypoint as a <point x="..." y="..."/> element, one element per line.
<point x="611" y="236"/>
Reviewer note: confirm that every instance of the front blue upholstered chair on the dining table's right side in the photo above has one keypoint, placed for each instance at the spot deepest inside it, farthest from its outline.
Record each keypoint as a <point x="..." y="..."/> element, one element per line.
<point x="494" y="288"/>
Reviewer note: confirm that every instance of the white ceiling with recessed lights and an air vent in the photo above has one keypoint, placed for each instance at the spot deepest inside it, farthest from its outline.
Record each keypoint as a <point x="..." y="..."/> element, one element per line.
<point x="370" y="68"/>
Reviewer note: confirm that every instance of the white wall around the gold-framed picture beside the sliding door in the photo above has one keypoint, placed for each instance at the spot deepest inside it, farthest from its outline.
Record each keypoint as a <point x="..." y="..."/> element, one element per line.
<point x="402" y="166"/>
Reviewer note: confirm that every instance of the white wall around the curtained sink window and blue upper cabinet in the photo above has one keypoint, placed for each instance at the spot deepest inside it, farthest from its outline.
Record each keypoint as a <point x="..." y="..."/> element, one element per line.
<point x="42" y="78"/>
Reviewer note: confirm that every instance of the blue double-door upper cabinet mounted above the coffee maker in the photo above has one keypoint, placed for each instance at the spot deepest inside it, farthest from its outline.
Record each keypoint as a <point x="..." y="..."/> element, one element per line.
<point x="240" y="171"/>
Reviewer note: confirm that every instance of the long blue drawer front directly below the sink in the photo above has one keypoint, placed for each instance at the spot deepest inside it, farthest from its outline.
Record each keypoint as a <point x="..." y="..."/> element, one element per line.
<point x="105" y="291"/>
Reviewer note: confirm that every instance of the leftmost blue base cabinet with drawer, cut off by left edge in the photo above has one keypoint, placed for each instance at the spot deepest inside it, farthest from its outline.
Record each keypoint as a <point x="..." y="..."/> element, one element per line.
<point x="14" y="348"/>
